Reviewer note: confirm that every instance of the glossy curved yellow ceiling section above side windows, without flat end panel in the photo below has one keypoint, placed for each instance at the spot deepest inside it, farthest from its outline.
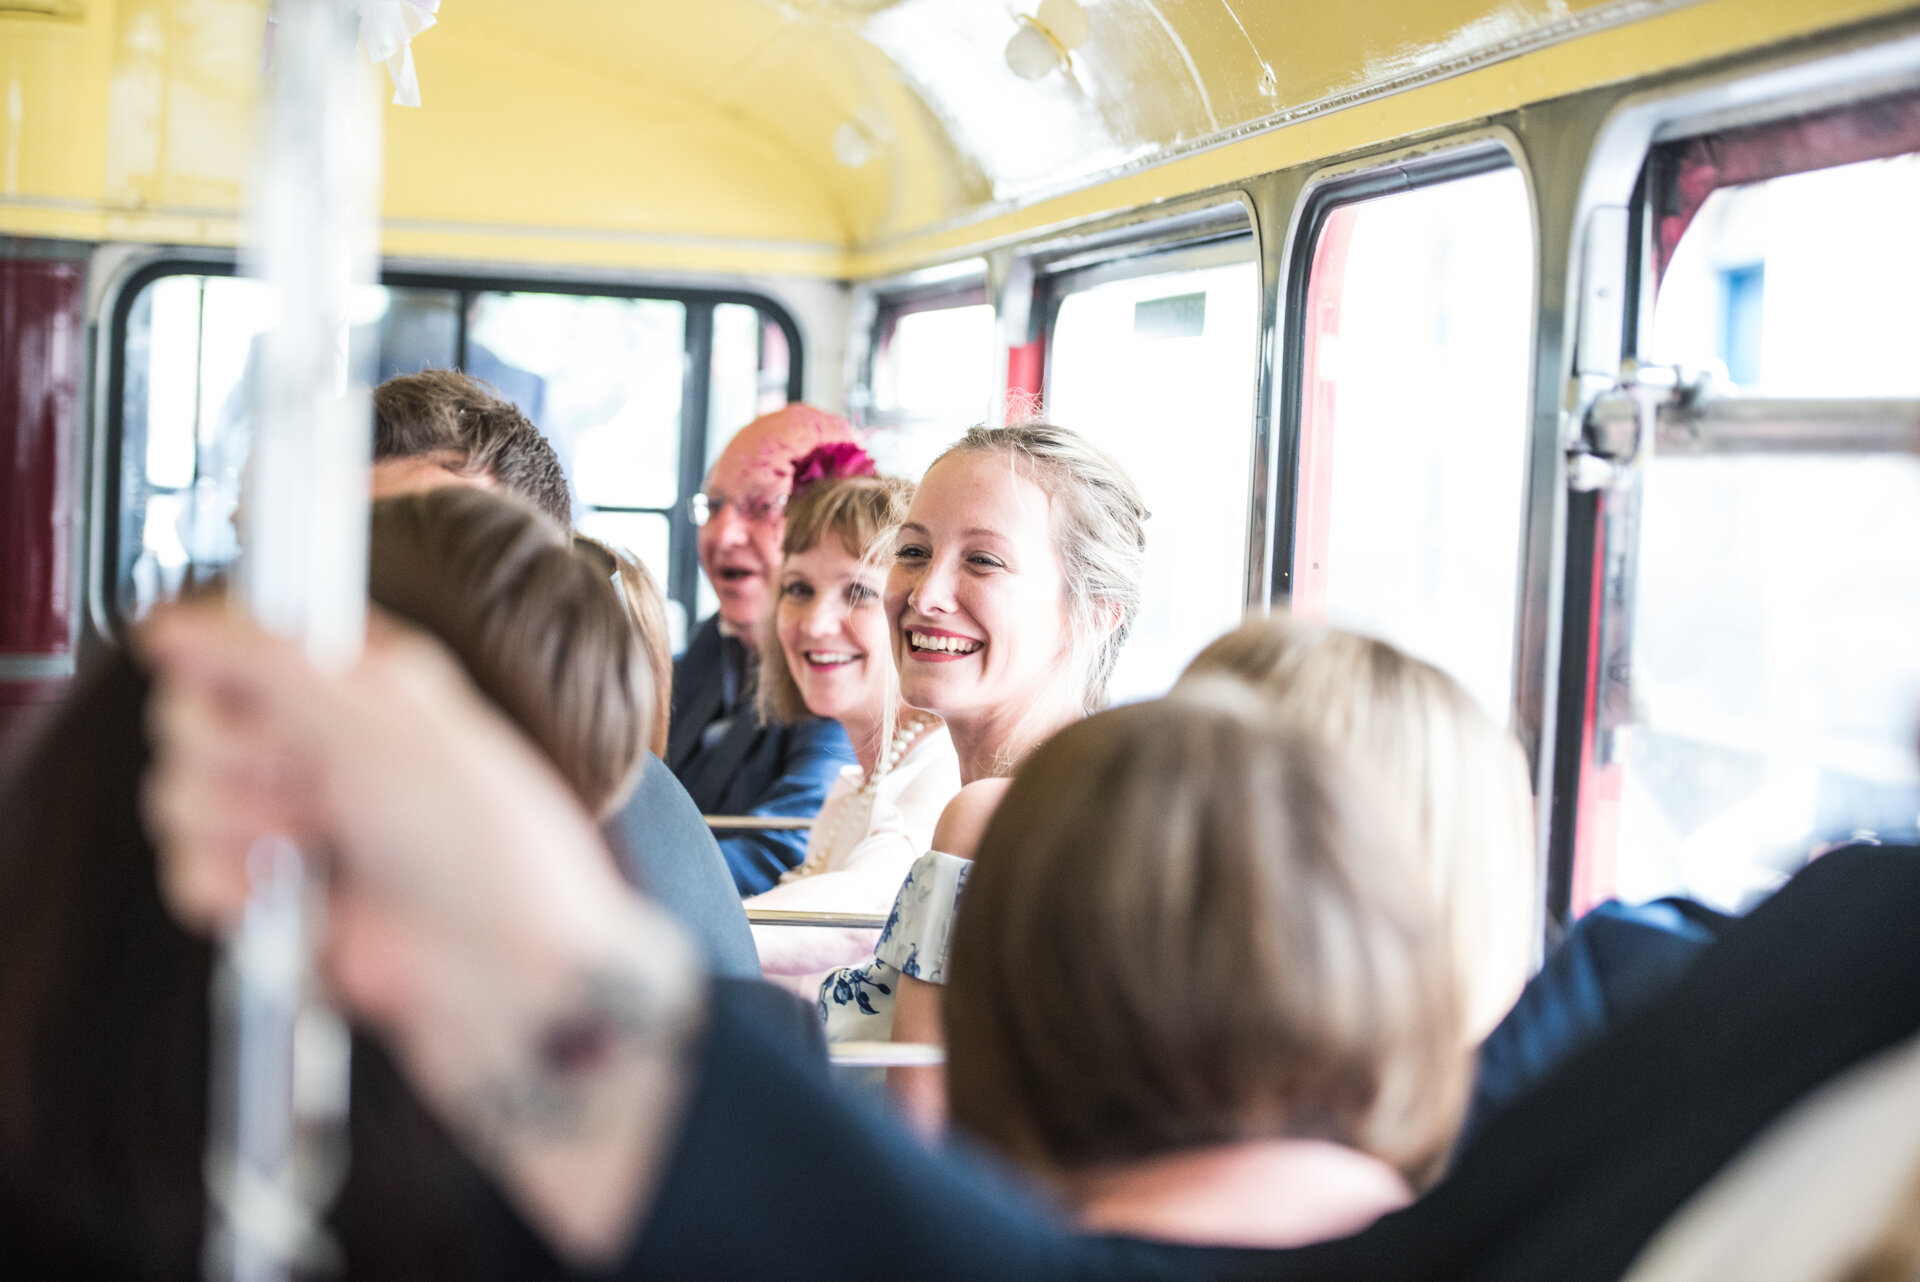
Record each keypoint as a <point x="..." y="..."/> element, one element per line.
<point x="911" y="114"/>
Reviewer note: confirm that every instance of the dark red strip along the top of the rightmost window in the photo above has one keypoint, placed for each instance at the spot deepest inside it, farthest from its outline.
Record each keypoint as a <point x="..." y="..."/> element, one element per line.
<point x="1840" y="137"/>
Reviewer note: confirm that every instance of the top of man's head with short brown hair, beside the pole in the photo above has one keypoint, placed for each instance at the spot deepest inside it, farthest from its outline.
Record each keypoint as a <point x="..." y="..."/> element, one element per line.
<point x="446" y="429"/>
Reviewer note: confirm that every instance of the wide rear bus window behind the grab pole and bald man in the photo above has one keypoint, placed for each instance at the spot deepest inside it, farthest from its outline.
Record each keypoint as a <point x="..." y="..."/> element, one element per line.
<point x="602" y="377"/>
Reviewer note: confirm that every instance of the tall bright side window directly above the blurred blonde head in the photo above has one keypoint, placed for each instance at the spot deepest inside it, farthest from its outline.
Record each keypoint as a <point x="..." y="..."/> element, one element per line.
<point x="1414" y="423"/>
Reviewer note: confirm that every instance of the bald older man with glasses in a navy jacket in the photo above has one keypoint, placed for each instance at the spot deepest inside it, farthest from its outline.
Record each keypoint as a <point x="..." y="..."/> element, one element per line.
<point x="719" y="749"/>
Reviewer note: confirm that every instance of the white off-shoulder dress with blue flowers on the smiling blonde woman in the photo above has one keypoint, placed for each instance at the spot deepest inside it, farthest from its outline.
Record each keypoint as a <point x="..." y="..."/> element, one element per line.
<point x="857" y="1001"/>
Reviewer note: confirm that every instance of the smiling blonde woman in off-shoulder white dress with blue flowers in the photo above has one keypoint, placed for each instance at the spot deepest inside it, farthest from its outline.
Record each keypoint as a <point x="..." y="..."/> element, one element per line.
<point x="1015" y="582"/>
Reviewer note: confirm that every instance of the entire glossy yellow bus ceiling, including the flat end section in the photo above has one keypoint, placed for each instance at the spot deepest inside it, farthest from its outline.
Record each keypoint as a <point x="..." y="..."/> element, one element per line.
<point x="825" y="137"/>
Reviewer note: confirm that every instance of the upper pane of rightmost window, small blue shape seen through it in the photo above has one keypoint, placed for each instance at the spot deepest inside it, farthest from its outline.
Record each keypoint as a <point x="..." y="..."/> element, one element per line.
<point x="1800" y="285"/>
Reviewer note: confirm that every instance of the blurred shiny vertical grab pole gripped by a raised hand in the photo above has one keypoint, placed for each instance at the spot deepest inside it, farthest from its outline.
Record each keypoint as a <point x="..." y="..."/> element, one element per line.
<point x="279" y="1091"/>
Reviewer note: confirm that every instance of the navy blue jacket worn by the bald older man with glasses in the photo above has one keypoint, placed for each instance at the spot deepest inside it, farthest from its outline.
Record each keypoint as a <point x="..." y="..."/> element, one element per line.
<point x="767" y="771"/>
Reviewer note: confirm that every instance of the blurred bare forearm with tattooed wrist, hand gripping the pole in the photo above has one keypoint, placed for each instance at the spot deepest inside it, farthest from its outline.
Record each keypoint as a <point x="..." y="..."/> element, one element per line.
<point x="475" y="920"/>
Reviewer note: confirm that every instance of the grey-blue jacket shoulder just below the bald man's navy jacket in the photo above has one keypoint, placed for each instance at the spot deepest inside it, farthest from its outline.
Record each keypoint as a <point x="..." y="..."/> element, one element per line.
<point x="667" y="855"/>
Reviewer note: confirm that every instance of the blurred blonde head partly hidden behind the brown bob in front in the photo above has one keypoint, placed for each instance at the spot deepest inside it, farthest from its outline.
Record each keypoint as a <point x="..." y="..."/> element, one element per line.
<point x="1451" y="782"/>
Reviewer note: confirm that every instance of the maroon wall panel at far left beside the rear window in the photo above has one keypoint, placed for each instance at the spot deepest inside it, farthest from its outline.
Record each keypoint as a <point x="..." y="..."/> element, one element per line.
<point x="41" y="331"/>
